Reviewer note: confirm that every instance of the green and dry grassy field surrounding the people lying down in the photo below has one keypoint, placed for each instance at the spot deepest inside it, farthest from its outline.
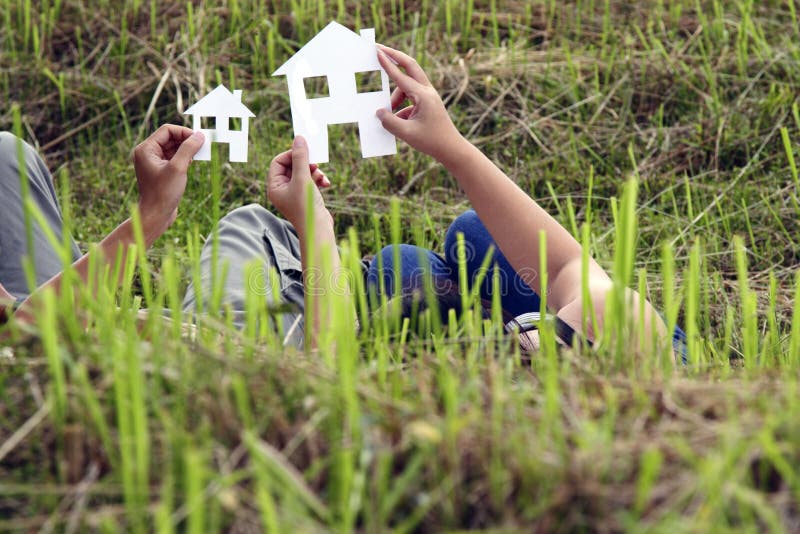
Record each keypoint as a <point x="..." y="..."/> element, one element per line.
<point x="139" y="427"/>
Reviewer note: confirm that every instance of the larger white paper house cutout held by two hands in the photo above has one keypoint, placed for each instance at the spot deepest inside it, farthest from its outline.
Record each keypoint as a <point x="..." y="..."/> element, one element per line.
<point x="338" y="54"/>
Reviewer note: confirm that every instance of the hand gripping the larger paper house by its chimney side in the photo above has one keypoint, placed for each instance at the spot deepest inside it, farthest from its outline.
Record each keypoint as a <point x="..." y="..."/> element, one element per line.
<point x="425" y="124"/>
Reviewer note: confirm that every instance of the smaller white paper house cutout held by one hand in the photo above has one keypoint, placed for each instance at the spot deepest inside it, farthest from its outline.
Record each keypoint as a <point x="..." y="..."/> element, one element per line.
<point x="222" y="105"/>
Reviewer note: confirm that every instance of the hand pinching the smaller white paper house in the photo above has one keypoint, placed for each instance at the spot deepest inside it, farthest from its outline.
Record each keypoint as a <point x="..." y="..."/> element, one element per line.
<point x="161" y="162"/>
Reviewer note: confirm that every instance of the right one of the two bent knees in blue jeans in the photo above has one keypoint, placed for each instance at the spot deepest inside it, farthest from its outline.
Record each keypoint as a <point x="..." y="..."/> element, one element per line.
<point x="516" y="296"/>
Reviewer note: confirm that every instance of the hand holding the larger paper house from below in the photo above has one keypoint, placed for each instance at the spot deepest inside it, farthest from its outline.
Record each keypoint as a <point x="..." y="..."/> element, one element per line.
<point x="289" y="176"/>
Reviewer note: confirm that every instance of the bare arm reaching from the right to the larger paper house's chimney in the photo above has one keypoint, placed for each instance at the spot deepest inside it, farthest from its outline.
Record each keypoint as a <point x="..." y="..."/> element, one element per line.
<point x="513" y="218"/>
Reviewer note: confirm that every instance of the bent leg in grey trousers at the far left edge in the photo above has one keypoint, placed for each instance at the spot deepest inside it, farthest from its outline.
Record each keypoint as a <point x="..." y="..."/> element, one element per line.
<point x="13" y="239"/>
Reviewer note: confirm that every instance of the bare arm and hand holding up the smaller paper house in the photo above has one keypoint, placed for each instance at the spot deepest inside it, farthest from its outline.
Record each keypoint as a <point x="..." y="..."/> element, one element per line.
<point x="161" y="163"/>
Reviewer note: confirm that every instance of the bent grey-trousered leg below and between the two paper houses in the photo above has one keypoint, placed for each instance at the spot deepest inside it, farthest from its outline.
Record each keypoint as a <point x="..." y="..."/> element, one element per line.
<point x="247" y="234"/>
